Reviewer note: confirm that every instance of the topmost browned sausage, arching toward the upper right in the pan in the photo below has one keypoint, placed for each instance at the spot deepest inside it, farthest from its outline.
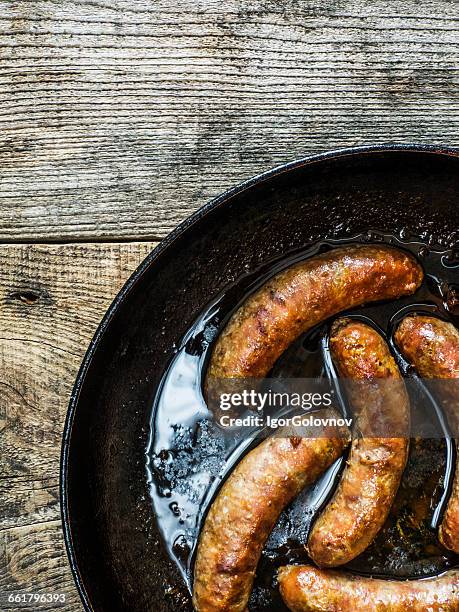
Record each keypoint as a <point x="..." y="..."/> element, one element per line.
<point x="298" y="298"/>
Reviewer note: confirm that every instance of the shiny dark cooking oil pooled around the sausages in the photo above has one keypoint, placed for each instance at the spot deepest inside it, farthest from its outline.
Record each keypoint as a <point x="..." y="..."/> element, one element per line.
<point x="189" y="457"/>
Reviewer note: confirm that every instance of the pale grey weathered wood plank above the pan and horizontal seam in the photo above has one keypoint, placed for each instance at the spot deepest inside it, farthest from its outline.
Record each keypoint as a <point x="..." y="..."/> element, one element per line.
<point x="118" y="119"/>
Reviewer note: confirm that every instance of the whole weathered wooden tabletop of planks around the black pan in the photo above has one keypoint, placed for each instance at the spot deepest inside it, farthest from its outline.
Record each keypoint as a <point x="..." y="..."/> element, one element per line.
<point x="118" y="119"/>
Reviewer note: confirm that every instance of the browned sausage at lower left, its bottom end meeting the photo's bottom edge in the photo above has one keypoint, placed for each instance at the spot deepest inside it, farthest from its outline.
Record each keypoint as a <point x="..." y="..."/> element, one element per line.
<point x="245" y="512"/>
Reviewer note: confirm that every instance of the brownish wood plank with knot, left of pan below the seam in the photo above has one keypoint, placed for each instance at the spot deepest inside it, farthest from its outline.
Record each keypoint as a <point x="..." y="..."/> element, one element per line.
<point x="52" y="298"/>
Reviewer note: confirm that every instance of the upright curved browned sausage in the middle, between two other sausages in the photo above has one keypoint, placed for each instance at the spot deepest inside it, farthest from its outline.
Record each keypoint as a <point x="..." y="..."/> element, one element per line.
<point x="371" y="478"/>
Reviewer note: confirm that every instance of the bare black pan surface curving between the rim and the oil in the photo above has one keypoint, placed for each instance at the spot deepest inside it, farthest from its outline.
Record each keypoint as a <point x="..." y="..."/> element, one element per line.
<point x="114" y="545"/>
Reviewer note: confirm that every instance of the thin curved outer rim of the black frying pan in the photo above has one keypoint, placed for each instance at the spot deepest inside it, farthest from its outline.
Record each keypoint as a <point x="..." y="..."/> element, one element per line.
<point x="163" y="246"/>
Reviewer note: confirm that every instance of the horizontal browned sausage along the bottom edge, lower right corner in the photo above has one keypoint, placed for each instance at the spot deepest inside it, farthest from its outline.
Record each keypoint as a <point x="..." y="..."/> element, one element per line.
<point x="308" y="589"/>
